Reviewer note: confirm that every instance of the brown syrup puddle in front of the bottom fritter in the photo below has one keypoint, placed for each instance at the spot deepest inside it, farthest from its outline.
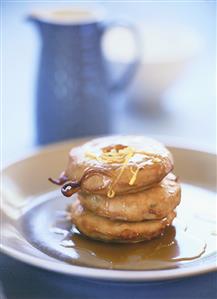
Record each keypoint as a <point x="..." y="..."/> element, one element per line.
<point x="167" y="251"/>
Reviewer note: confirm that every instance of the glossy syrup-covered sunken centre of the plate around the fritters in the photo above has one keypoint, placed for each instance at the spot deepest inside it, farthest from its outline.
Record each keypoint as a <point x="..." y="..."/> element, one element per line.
<point x="47" y="227"/>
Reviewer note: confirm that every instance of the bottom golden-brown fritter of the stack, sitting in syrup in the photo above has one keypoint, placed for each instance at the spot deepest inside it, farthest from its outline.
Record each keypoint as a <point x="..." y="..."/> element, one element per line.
<point x="100" y="228"/>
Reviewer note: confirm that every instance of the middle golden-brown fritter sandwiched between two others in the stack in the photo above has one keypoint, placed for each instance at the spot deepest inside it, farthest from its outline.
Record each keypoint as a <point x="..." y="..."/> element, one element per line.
<point x="154" y="203"/>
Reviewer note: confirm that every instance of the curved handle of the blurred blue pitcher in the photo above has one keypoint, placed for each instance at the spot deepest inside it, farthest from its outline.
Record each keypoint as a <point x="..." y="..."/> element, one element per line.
<point x="129" y="72"/>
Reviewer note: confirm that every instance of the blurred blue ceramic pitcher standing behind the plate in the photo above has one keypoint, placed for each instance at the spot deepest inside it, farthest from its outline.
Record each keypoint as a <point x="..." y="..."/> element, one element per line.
<point x="74" y="88"/>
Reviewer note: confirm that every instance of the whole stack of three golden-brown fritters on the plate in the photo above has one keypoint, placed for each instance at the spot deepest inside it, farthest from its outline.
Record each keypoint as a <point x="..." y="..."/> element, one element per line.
<point x="125" y="189"/>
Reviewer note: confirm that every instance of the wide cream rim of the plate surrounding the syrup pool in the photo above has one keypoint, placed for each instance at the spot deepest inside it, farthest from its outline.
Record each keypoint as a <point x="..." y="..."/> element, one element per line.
<point x="25" y="185"/>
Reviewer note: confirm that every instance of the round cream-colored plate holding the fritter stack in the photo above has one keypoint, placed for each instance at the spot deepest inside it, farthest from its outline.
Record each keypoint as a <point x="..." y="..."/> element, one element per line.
<point x="32" y="206"/>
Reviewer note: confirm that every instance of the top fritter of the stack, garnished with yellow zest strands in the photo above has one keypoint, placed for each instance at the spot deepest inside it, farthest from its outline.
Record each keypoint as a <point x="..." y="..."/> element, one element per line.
<point x="115" y="165"/>
